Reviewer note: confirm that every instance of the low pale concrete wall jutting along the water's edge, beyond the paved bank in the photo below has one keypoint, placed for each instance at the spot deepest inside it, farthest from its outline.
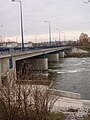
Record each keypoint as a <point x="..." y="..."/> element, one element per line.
<point x="65" y="94"/>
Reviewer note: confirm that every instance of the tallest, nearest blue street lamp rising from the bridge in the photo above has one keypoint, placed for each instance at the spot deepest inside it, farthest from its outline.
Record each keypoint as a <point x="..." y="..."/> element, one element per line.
<point x="21" y="21"/>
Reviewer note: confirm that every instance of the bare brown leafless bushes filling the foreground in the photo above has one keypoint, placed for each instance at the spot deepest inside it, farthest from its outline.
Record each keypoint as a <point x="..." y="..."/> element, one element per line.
<point x="25" y="102"/>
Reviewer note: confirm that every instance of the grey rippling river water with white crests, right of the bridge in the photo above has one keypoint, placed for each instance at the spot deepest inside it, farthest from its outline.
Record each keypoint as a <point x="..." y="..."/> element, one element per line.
<point x="71" y="74"/>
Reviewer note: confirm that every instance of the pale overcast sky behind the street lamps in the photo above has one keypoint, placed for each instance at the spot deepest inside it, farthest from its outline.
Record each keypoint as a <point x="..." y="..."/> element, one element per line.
<point x="71" y="16"/>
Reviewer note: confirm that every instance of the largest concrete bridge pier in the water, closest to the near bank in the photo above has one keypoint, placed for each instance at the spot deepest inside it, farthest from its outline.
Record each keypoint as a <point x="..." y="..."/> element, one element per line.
<point x="39" y="63"/>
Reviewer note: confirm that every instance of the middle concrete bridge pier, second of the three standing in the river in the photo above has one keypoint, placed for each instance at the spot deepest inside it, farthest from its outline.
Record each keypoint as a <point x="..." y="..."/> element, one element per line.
<point x="53" y="57"/>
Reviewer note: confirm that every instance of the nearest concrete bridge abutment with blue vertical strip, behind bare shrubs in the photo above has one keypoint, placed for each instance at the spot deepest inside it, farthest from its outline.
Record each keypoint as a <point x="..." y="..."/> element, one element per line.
<point x="6" y="70"/>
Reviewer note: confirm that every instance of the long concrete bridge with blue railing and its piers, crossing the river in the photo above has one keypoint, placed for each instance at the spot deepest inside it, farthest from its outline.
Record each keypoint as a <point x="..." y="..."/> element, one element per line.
<point x="12" y="60"/>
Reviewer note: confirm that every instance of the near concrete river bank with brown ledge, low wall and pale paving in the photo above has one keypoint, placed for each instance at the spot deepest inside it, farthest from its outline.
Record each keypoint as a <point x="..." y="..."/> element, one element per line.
<point x="65" y="100"/>
